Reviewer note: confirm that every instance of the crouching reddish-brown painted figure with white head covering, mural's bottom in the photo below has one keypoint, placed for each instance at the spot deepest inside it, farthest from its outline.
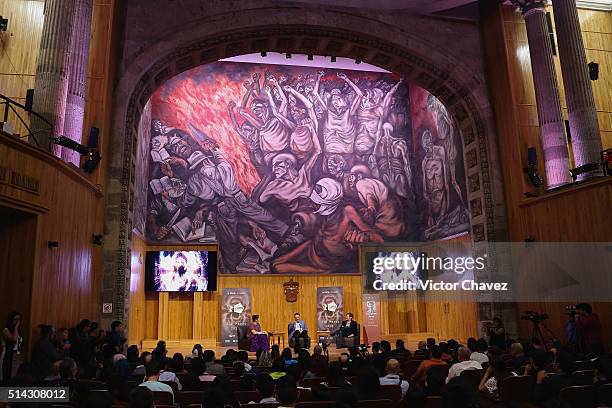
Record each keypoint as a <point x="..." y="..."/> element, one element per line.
<point x="341" y="230"/>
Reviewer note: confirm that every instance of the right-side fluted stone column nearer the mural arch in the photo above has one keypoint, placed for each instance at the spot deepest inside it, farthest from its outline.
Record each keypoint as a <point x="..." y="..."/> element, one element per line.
<point x="550" y="116"/>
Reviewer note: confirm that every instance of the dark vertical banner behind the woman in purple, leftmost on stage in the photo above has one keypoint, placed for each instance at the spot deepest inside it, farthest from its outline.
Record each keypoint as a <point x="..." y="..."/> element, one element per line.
<point x="235" y="311"/>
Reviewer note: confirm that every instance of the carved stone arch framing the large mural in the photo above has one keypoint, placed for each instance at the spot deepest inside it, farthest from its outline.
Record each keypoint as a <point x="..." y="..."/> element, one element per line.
<point x="441" y="73"/>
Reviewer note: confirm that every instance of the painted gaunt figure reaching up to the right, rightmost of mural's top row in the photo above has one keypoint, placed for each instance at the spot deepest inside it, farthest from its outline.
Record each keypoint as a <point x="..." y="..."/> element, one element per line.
<point x="373" y="109"/>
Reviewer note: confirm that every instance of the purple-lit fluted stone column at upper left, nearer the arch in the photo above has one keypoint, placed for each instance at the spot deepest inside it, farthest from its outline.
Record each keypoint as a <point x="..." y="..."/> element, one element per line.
<point x="77" y="79"/>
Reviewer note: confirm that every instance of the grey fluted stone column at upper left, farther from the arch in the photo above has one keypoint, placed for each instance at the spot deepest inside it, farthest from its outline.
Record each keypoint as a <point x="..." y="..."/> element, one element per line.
<point x="52" y="69"/>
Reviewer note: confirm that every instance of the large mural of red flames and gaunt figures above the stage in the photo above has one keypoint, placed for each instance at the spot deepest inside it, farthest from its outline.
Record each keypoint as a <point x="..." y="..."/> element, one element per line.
<point x="291" y="168"/>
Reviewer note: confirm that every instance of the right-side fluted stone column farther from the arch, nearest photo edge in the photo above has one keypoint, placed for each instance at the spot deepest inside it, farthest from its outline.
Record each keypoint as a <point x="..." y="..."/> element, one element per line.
<point x="586" y="141"/>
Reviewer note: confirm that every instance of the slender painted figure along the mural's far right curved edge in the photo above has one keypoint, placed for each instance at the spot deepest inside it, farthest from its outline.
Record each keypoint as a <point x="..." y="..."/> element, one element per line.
<point x="445" y="137"/>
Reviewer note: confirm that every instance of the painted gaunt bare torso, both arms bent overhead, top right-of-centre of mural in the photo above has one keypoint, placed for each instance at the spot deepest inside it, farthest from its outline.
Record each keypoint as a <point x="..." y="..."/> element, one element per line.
<point x="339" y="128"/>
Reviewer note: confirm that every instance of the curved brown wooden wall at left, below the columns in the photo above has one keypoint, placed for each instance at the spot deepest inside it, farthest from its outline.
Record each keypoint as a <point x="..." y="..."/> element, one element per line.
<point x="66" y="280"/>
